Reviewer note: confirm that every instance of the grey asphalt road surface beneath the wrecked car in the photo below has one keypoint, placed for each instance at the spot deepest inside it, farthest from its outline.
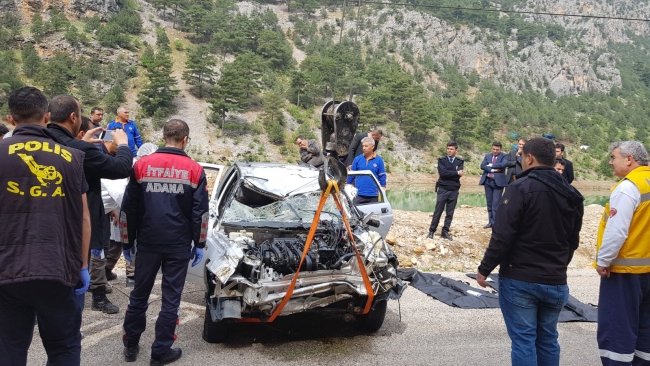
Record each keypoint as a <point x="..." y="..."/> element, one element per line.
<point x="429" y="333"/>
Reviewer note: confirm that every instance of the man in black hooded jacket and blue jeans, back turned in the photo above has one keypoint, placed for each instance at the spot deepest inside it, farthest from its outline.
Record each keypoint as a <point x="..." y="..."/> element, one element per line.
<point x="535" y="234"/>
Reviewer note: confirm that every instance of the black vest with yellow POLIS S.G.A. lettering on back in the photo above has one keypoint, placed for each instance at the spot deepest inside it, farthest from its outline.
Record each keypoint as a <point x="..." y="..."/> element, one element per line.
<point x="41" y="186"/>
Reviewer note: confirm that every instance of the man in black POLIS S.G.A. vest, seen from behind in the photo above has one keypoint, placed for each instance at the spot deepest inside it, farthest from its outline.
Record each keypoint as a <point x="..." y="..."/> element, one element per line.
<point x="44" y="235"/>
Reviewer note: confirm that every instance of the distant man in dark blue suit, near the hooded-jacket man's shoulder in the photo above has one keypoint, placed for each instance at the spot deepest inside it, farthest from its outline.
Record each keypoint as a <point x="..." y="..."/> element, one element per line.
<point x="494" y="179"/>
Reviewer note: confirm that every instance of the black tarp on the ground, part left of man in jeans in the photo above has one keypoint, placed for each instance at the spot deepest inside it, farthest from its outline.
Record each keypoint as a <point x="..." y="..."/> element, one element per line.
<point x="451" y="292"/>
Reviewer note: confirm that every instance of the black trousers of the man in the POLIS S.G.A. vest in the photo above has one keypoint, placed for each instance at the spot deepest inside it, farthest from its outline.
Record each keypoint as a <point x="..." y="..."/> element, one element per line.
<point x="59" y="321"/>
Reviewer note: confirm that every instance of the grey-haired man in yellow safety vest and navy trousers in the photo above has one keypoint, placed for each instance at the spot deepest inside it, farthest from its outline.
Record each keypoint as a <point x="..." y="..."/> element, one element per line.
<point x="623" y="260"/>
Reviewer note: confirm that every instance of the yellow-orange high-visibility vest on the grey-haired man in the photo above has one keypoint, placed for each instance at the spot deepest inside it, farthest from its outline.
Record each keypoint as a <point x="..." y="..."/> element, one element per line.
<point x="634" y="256"/>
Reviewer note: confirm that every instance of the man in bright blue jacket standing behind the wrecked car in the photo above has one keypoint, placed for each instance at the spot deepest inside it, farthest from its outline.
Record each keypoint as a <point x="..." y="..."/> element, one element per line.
<point x="369" y="160"/>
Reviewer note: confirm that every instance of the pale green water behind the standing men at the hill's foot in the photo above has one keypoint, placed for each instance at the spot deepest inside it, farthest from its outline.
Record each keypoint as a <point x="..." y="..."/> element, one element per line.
<point x="415" y="199"/>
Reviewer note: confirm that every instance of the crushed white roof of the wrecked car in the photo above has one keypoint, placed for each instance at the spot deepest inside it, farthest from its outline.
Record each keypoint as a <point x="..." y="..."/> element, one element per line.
<point x="281" y="180"/>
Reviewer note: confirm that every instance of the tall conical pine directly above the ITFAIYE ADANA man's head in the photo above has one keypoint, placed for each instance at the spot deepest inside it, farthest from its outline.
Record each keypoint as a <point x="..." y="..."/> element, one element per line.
<point x="161" y="90"/>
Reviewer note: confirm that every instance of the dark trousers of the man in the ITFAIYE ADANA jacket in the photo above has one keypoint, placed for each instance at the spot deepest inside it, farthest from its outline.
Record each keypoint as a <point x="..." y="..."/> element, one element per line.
<point x="174" y="271"/>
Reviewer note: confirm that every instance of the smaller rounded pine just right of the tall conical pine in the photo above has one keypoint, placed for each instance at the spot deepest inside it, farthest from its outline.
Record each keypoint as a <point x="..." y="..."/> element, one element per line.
<point x="199" y="69"/>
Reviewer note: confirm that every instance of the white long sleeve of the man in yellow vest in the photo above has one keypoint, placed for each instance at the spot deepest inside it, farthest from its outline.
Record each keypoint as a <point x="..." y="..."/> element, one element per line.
<point x="623" y="201"/>
